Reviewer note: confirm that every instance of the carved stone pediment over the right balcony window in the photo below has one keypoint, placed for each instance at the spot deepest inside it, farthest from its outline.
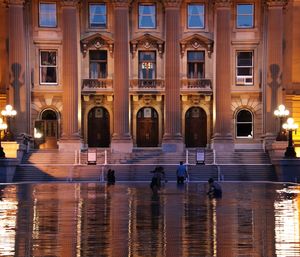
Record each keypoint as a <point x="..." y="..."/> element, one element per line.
<point x="196" y="41"/>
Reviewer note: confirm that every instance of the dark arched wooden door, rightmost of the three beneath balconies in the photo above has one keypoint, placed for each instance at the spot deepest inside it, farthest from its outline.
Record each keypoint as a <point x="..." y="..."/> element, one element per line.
<point x="195" y="127"/>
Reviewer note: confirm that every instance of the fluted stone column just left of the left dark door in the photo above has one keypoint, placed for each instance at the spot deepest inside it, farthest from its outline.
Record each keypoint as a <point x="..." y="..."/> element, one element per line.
<point x="70" y="139"/>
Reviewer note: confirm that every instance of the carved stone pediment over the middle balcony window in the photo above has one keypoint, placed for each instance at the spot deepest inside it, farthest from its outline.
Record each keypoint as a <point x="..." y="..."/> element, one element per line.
<point x="147" y="41"/>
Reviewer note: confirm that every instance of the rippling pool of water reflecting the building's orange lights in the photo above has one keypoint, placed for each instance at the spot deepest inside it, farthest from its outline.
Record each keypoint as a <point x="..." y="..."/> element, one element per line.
<point x="92" y="219"/>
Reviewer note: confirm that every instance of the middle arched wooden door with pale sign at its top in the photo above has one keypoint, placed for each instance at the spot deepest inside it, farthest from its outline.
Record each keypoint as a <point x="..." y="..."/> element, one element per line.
<point x="147" y="127"/>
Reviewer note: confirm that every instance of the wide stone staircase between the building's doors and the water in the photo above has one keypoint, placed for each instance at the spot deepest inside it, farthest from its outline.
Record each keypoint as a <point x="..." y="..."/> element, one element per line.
<point x="54" y="165"/>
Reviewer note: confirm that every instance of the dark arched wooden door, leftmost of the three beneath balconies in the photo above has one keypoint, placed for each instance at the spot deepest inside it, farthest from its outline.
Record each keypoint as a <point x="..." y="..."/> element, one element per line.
<point x="98" y="127"/>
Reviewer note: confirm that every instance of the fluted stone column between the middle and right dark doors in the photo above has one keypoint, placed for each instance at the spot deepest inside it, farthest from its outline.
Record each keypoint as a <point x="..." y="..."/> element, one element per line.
<point x="172" y="139"/>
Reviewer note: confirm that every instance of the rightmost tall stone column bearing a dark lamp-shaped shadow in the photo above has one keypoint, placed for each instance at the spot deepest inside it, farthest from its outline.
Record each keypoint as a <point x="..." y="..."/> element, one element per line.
<point x="274" y="67"/>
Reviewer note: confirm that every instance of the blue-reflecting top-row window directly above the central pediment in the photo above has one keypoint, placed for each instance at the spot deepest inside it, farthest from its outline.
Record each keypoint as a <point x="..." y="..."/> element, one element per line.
<point x="147" y="16"/>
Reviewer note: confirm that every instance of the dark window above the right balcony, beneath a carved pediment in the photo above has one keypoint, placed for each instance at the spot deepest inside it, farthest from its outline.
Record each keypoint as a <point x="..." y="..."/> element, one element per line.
<point x="195" y="62"/>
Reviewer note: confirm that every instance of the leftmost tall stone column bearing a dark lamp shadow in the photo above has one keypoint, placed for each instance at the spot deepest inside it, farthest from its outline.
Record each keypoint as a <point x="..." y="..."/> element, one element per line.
<point x="18" y="90"/>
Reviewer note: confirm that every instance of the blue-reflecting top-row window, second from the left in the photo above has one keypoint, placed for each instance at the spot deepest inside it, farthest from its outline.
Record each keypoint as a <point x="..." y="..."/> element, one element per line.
<point x="97" y="14"/>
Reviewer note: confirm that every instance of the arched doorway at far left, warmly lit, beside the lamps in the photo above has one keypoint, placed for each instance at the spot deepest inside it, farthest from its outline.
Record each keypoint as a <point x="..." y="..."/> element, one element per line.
<point x="48" y="128"/>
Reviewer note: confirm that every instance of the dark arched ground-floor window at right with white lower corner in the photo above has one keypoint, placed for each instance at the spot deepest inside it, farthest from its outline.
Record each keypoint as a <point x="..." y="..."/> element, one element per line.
<point x="244" y="124"/>
